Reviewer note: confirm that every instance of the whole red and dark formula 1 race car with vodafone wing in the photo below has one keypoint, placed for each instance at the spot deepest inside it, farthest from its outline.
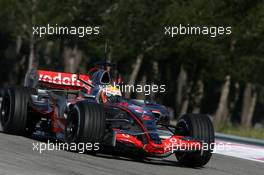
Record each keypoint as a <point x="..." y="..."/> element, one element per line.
<point x="89" y="108"/>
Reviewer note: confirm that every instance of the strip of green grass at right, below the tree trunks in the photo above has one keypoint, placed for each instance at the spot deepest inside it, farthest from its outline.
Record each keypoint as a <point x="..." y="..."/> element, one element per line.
<point x="243" y="132"/>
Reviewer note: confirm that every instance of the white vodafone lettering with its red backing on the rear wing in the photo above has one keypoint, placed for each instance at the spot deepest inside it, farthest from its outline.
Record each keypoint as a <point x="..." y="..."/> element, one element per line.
<point x="61" y="78"/>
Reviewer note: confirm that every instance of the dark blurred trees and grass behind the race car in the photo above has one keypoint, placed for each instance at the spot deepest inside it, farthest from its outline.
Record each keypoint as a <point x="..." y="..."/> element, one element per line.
<point x="221" y="76"/>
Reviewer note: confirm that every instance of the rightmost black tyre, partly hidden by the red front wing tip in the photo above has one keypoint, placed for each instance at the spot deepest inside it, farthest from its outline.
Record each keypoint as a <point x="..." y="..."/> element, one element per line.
<point x="199" y="127"/>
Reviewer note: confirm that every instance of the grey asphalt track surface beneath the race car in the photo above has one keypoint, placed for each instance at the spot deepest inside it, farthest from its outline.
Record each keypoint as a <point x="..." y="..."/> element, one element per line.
<point x="17" y="157"/>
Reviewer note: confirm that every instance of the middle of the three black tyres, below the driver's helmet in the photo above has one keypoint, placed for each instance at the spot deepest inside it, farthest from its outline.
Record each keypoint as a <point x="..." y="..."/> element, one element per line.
<point x="85" y="123"/>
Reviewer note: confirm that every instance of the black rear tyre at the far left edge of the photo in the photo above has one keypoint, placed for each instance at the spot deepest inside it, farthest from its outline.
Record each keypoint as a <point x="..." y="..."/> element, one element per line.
<point x="14" y="110"/>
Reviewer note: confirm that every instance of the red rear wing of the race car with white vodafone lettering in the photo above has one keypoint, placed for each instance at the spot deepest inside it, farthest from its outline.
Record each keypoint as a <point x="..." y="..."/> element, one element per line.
<point x="63" y="80"/>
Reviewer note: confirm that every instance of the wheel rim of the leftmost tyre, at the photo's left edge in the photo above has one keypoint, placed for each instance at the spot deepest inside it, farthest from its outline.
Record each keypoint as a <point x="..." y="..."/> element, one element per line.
<point x="5" y="110"/>
